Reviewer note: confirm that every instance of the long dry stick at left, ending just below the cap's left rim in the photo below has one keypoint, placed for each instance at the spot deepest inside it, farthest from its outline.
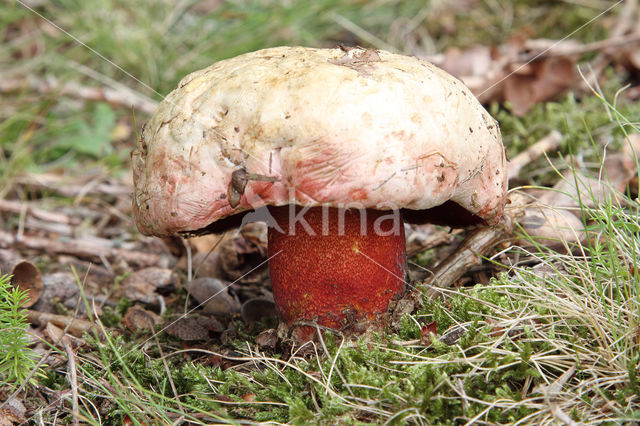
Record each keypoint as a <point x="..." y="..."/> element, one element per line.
<point x="83" y="249"/>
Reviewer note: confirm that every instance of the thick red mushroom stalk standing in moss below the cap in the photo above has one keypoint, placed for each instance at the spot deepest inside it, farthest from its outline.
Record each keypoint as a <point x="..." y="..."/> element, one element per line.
<point x="335" y="265"/>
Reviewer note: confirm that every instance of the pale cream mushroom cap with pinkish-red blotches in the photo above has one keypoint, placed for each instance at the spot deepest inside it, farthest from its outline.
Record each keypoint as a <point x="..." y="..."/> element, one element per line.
<point x="339" y="127"/>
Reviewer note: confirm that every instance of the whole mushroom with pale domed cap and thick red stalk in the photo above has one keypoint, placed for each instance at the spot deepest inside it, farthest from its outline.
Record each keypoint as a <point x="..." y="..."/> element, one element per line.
<point x="334" y="148"/>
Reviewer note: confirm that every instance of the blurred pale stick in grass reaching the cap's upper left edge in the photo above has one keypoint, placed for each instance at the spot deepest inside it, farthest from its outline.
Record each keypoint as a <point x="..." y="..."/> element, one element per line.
<point x="50" y="84"/>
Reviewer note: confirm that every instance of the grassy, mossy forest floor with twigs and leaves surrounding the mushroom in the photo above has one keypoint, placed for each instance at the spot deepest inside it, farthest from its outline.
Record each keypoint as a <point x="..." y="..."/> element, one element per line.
<point x="537" y="322"/>
